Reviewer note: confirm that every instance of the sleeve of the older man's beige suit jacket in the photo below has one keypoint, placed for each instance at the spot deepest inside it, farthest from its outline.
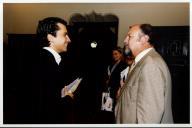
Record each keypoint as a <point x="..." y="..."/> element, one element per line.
<point x="150" y="102"/>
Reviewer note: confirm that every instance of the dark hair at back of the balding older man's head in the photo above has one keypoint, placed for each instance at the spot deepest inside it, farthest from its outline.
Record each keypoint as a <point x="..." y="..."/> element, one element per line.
<point x="147" y="30"/>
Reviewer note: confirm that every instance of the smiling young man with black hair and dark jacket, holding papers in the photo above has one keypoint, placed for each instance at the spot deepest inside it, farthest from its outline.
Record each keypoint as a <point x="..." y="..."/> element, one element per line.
<point x="53" y="37"/>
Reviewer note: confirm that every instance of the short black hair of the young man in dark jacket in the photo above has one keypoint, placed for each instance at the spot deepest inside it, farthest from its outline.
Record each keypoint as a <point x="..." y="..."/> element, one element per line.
<point x="48" y="26"/>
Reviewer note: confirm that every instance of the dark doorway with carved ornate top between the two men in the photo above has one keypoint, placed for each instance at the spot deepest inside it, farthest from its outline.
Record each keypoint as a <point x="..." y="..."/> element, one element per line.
<point x="90" y="51"/>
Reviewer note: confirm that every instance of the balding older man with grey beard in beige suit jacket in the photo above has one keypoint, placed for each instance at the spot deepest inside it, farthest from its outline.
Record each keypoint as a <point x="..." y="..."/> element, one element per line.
<point x="146" y="95"/>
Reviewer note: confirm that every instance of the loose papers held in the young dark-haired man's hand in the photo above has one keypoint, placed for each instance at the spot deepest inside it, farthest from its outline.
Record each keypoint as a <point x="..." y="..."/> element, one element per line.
<point x="71" y="87"/>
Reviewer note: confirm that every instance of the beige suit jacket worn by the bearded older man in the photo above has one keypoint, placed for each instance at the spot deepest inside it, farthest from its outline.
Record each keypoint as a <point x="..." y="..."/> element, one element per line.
<point x="146" y="95"/>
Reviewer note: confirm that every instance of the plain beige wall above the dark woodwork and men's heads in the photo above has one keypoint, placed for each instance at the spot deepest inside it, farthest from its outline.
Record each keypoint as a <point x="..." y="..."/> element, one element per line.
<point x="23" y="18"/>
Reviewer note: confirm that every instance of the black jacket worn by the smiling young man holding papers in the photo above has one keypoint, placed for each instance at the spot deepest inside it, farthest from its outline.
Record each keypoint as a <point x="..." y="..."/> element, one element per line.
<point x="52" y="108"/>
